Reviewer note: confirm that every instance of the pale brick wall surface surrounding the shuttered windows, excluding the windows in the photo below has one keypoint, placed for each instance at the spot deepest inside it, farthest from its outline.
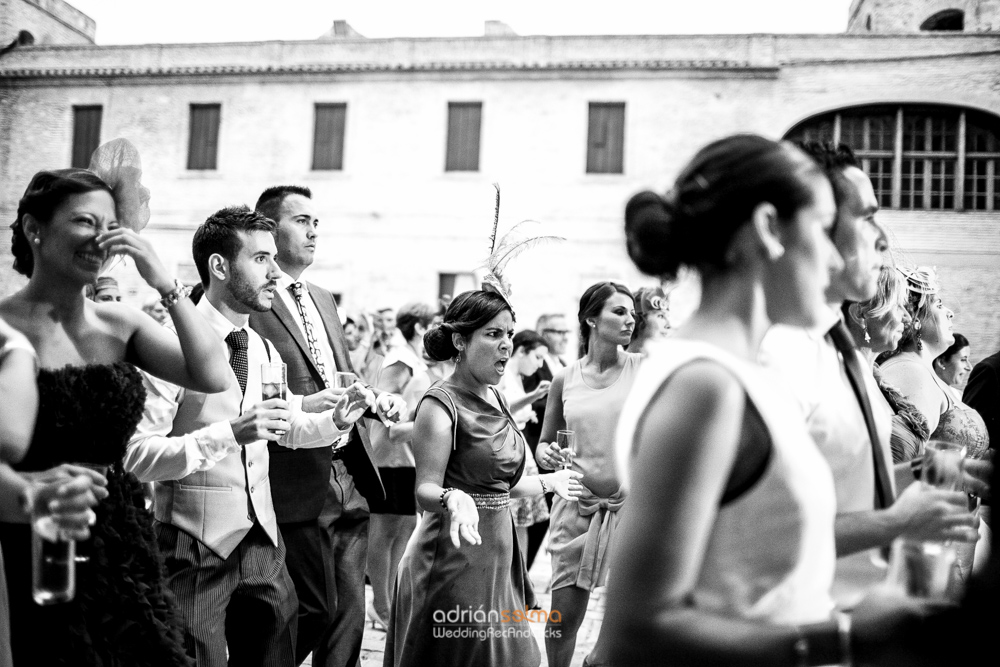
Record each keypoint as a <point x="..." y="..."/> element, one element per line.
<point x="393" y="219"/>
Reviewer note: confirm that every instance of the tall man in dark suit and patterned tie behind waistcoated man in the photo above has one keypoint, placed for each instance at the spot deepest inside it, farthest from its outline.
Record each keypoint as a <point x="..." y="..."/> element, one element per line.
<point x="321" y="507"/>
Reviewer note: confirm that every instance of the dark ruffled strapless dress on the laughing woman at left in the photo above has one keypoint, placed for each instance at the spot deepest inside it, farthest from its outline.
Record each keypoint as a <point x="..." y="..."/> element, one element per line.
<point x="123" y="613"/>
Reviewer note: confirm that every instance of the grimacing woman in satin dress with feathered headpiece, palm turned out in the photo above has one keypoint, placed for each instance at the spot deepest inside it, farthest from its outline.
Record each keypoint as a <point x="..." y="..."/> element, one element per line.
<point x="468" y="605"/>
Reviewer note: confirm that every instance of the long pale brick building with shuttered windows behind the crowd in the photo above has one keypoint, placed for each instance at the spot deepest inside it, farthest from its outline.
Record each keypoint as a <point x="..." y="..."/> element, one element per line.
<point x="400" y="140"/>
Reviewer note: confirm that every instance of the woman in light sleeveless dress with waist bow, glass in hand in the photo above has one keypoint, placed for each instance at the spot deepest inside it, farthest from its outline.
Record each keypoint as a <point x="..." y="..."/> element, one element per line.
<point x="586" y="398"/>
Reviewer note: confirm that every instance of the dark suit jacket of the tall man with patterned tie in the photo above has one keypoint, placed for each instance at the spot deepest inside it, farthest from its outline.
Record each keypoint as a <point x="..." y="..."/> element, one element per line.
<point x="299" y="477"/>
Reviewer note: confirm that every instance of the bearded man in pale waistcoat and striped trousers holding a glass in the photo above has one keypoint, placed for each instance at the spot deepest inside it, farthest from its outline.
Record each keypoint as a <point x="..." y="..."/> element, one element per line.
<point x="207" y="457"/>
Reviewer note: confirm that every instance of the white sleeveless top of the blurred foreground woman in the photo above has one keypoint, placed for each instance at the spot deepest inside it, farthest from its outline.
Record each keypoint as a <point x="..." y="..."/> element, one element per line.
<point x="770" y="555"/>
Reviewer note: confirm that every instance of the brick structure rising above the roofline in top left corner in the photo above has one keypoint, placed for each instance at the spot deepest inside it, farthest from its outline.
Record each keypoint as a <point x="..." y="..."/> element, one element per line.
<point x="50" y="21"/>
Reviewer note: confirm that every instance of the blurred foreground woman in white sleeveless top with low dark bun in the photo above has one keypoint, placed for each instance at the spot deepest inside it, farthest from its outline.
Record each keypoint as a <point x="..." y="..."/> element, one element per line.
<point x="726" y="552"/>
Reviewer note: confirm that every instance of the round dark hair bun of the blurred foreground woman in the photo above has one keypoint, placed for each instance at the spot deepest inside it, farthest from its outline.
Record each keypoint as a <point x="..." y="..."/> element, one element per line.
<point x="649" y="229"/>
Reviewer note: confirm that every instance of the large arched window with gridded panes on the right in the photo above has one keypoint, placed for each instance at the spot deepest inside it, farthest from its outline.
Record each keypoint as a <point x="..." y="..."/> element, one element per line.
<point x="932" y="157"/>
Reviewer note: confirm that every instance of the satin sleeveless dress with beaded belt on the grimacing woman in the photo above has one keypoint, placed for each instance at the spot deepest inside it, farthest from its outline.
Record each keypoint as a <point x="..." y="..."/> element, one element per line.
<point x="466" y="606"/>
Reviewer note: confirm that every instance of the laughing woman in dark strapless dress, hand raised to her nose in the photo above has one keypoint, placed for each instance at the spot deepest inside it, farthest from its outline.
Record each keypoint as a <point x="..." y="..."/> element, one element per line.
<point x="91" y="399"/>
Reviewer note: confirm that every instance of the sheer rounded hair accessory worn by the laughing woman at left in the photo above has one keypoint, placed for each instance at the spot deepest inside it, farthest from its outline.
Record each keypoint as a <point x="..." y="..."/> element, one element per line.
<point x="117" y="163"/>
